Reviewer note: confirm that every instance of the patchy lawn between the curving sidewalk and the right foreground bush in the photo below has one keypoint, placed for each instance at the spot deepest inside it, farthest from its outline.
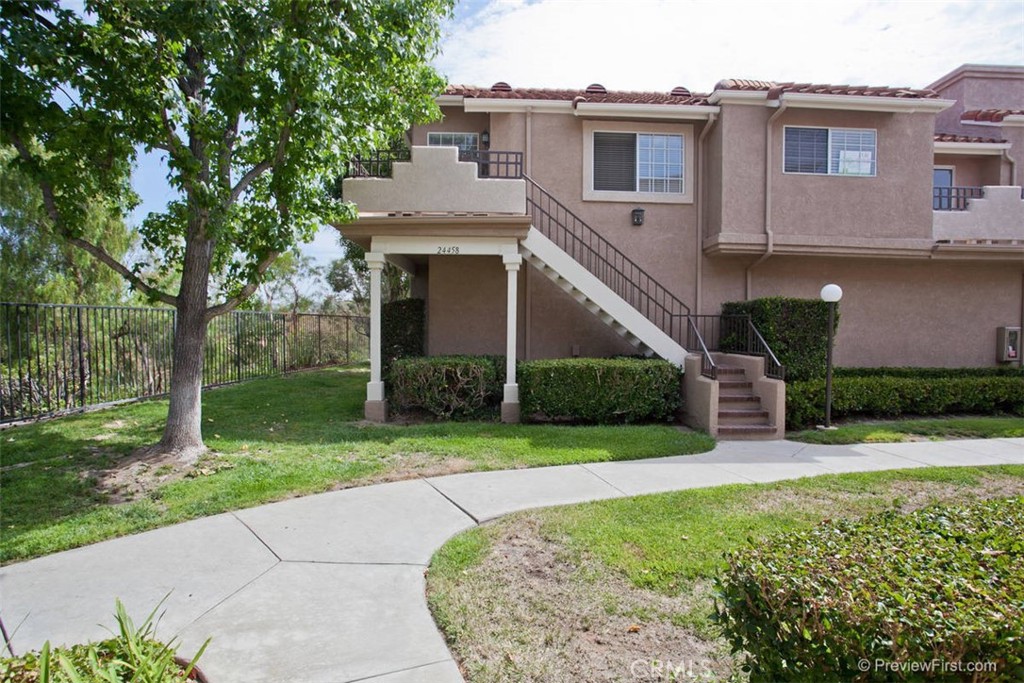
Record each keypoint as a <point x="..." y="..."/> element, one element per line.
<point x="662" y="554"/>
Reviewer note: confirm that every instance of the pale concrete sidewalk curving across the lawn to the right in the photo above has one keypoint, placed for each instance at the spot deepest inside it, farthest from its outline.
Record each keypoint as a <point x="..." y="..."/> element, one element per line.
<point x="330" y="588"/>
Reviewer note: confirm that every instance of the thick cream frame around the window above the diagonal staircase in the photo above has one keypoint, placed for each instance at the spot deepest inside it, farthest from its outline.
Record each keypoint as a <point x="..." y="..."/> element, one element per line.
<point x="684" y="131"/>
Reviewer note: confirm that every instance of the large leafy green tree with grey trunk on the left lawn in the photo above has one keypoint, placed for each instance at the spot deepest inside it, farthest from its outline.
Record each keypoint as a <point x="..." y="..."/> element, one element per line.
<point x="255" y="107"/>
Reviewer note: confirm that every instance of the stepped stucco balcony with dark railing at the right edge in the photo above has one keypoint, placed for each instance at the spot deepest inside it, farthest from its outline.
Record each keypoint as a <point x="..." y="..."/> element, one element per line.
<point x="990" y="217"/>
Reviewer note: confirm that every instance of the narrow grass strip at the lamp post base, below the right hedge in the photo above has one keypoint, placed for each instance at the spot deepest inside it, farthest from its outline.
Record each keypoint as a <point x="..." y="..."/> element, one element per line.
<point x="909" y="431"/>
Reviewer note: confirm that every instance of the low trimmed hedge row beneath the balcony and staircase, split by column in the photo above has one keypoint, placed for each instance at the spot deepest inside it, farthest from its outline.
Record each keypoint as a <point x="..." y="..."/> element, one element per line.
<point x="585" y="391"/>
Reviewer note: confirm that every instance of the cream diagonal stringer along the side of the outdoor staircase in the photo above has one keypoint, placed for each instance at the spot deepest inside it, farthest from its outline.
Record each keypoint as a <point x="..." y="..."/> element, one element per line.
<point x="583" y="281"/>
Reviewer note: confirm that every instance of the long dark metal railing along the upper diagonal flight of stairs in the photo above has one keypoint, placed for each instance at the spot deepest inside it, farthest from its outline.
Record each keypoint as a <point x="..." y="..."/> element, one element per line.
<point x="621" y="274"/>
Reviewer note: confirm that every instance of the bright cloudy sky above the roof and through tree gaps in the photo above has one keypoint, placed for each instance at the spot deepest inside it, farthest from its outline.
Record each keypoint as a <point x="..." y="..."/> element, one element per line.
<point x="660" y="45"/>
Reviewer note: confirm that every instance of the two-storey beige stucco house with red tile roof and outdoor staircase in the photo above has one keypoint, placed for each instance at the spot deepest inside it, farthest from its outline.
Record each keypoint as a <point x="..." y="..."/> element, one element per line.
<point x="546" y="224"/>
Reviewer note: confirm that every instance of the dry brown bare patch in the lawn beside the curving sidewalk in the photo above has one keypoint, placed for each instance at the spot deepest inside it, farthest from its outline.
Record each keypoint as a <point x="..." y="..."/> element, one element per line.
<point x="533" y="613"/>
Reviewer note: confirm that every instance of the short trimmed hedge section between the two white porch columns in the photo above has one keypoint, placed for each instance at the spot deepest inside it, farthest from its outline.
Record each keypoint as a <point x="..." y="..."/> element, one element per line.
<point x="448" y="387"/>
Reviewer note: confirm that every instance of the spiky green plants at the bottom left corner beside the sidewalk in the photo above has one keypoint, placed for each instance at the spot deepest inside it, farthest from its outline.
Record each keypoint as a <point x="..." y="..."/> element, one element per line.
<point x="133" y="656"/>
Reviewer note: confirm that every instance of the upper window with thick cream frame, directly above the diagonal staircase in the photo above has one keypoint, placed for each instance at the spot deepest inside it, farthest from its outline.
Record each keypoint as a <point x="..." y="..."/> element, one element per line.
<point x="636" y="162"/>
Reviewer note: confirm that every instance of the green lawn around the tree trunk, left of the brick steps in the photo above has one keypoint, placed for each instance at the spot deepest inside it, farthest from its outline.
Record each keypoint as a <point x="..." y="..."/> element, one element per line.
<point x="270" y="440"/>
